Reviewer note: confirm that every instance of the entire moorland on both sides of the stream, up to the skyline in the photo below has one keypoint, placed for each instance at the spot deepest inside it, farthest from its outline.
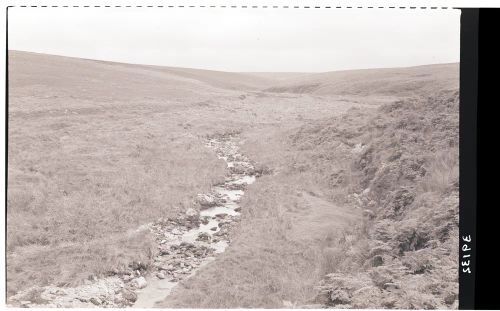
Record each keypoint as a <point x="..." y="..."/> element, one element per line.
<point x="98" y="149"/>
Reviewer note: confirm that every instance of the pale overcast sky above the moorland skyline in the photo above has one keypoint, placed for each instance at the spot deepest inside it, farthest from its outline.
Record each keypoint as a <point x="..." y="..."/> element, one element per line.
<point x="253" y="40"/>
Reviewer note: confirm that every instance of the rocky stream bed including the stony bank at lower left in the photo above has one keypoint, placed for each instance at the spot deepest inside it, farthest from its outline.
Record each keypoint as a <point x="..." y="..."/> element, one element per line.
<point x="185" y="243"/>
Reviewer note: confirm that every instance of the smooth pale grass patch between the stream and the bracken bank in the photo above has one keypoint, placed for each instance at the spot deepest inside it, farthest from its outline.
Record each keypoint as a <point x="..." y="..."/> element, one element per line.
<point x="271" y="259"/>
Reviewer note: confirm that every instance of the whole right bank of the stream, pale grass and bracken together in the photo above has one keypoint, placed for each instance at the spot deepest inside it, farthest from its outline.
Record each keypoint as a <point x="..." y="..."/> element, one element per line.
<point x="397" y="165"/>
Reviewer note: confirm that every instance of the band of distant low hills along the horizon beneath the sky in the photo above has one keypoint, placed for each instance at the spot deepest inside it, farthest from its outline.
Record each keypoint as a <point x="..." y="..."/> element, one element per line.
<point x="141" y="80"/>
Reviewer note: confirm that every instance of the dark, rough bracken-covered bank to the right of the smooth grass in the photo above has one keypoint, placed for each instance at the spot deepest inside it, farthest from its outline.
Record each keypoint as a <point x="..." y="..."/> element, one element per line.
<point x="401" y="169"/>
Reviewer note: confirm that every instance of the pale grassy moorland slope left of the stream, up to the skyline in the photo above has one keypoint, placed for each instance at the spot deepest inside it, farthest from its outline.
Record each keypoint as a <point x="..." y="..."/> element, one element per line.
<point x="95" y="151"/>
